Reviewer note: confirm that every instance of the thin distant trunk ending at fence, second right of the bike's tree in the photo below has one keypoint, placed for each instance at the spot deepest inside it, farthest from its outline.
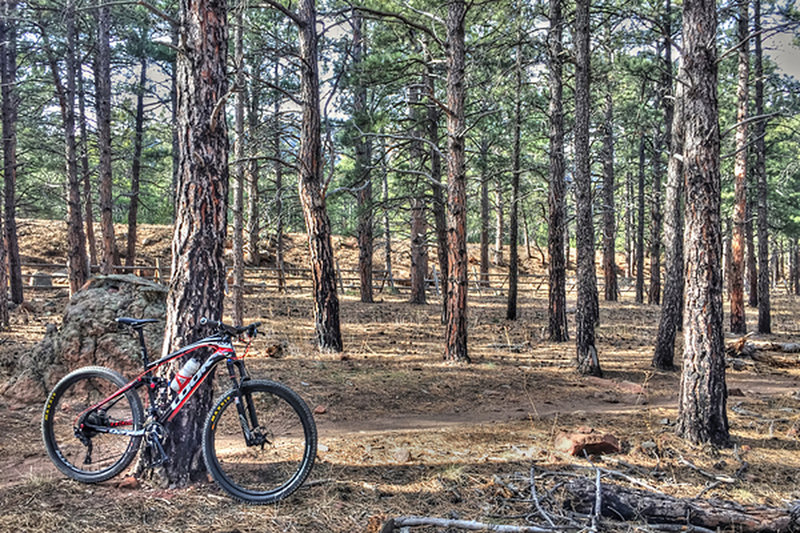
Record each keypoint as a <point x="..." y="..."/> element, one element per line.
<point x="253" y="256"/>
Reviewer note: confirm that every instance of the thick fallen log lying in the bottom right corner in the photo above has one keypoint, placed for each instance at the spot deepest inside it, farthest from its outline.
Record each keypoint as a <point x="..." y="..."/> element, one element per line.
<point x="627" y="504"/>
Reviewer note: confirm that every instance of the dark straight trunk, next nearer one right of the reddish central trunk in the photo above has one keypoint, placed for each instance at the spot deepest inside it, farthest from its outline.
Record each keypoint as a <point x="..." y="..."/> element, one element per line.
<point x="587" y="313"/>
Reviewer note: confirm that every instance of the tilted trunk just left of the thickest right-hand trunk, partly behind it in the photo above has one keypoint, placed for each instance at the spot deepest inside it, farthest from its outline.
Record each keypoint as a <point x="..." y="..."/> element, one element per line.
<point x="671" y="315"/>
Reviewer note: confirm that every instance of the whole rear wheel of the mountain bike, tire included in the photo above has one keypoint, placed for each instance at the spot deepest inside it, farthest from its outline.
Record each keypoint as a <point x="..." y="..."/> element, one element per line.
<point x="90" y="454"/>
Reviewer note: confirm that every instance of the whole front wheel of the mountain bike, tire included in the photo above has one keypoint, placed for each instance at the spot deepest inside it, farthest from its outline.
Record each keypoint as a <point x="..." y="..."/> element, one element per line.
<point x="266" y="455"/>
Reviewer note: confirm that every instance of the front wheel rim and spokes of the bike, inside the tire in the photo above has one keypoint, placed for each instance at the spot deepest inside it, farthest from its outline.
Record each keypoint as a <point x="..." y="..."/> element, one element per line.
<point x="260" y="471"/>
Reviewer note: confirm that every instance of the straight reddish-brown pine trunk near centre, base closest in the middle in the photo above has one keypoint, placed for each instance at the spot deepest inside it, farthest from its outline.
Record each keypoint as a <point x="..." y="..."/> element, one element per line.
<point x="456" y="328"/>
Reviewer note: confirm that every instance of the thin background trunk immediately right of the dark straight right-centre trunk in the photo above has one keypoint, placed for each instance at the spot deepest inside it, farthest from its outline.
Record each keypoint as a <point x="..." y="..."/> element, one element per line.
<point x="609" y="215"/>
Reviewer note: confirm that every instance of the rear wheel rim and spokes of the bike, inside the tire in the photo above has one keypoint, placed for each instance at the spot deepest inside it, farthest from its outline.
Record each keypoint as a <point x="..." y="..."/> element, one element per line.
<point x="108" y="451"/>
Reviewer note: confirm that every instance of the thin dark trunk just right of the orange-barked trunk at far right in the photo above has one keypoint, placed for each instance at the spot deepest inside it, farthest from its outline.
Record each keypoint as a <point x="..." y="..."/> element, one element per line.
<point x="764" y="318"/>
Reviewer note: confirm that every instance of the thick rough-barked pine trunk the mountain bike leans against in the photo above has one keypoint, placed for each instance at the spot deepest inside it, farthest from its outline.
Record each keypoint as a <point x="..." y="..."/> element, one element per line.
<point x="198" y="269"/>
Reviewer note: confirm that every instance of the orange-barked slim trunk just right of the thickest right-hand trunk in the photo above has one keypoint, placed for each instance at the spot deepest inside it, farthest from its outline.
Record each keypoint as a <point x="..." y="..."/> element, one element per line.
<point x="736" y="279"/>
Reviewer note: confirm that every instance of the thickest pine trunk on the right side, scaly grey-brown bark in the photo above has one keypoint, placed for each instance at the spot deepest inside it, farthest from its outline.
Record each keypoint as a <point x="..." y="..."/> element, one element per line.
<point x="702" y="415"/>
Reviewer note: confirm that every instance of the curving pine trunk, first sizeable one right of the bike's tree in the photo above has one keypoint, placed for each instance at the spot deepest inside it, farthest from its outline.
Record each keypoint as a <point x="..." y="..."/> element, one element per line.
<point x="311" y="187"/>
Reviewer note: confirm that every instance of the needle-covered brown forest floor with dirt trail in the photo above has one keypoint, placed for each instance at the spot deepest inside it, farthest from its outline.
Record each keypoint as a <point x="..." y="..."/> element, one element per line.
<point x="404" y="433"/>
